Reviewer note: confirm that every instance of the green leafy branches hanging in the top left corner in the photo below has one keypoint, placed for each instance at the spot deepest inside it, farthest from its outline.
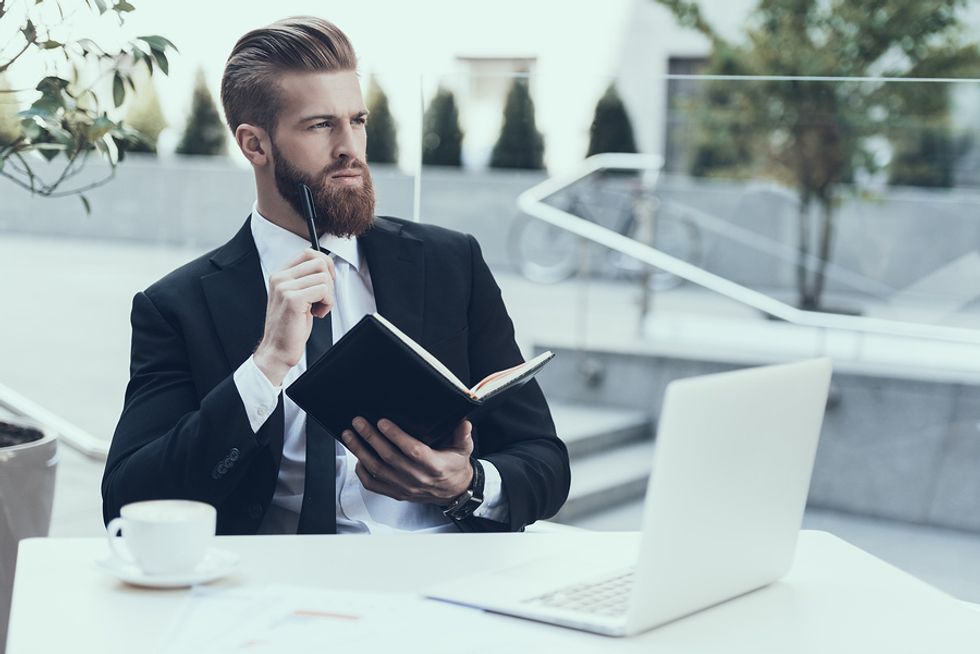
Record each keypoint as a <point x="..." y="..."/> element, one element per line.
<point x="65" y="117"/>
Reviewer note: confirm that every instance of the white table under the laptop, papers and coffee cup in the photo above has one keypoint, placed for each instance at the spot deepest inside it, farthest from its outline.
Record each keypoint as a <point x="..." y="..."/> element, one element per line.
<point x="836" y="598"/>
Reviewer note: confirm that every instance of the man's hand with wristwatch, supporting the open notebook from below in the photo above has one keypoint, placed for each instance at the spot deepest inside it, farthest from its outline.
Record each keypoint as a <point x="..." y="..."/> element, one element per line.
<point x="405" y="468"/>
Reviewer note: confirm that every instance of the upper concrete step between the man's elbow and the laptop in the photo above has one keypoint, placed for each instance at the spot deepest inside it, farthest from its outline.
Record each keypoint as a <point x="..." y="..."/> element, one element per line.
<point x="588" y="430"/>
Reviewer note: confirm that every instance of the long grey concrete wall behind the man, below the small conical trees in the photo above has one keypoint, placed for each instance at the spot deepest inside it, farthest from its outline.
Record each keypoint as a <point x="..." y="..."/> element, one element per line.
<point x="747" y="232"/>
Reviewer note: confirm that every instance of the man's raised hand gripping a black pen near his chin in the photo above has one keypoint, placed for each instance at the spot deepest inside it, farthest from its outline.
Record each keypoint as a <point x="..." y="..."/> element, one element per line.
<point x="297" y="294"/>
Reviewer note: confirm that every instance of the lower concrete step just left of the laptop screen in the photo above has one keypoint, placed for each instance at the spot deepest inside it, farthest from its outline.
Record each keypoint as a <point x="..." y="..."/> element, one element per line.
<point x="608" y="479"/>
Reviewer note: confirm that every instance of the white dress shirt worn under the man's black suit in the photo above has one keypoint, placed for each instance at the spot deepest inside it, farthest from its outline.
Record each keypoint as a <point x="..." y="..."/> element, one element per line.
<point x="358" y="509"/>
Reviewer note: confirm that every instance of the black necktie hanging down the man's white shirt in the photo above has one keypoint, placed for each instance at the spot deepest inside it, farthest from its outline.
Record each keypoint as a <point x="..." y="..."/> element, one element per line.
<point x="319" y="513"/>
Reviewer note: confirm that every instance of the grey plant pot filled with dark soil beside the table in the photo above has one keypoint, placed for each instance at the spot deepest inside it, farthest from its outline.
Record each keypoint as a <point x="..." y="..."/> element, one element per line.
<point x="28" y="459"/>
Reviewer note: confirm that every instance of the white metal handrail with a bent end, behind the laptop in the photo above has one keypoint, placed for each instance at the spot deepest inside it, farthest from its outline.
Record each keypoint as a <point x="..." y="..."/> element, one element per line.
<point x="532" y="203"/>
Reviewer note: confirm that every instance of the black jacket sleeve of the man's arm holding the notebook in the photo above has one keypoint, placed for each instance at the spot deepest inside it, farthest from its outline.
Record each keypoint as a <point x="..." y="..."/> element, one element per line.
<point x="519" y="436"/>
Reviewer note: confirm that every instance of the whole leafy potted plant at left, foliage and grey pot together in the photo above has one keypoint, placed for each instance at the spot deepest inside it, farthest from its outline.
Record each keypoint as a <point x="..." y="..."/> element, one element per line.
<point x="64" y="122"/>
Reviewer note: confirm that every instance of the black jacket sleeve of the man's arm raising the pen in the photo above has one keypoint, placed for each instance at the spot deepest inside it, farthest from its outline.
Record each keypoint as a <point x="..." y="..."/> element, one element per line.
<point x="172" y="443"/>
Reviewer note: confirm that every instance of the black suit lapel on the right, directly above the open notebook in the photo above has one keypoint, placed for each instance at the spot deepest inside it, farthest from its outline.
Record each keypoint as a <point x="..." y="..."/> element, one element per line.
<point x="396" y="262"/>
